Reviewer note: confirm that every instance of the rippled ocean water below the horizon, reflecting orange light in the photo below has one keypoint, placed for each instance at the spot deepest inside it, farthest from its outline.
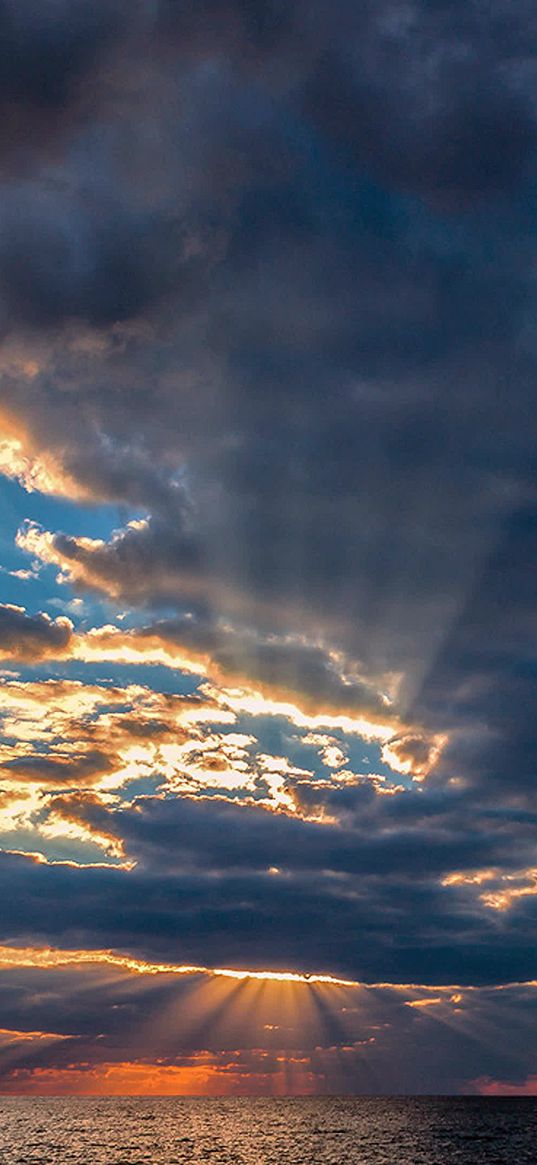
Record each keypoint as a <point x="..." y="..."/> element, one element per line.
<point x="243" y="1132"/>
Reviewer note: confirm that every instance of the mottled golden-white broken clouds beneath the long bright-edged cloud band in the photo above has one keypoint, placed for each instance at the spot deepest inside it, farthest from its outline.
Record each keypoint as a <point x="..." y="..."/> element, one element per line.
<point x="68" y="737"/>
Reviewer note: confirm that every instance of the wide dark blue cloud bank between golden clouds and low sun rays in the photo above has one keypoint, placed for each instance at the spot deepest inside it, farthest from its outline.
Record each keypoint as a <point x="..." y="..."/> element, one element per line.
<point x="364" y="901"/>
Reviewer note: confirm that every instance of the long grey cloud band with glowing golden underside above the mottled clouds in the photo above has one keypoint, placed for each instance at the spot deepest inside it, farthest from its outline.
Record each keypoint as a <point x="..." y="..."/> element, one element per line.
<point x="268" y="669"/>
